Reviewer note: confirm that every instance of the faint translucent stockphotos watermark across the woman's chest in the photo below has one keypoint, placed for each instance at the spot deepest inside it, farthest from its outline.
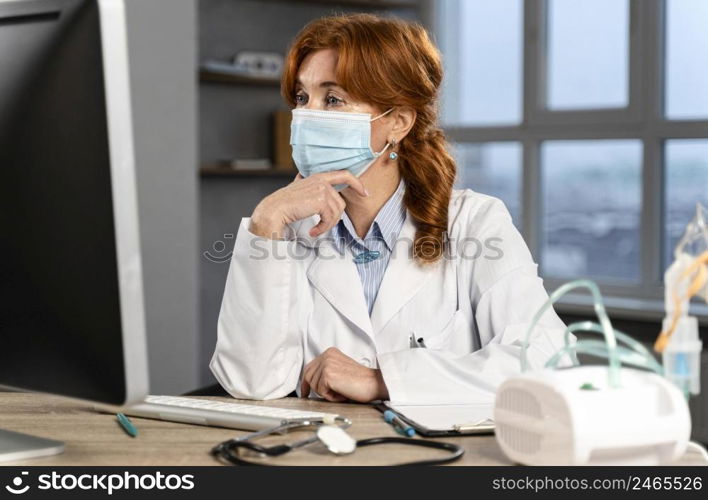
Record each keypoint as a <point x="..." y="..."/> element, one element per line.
<point x="260" y="248"/>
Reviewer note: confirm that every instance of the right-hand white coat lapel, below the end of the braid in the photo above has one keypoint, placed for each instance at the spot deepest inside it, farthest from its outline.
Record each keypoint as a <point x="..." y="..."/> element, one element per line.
<point x="402" y="280"/>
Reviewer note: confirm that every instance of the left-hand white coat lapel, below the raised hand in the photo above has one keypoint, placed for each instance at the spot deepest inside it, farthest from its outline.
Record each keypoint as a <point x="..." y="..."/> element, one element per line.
<point x="335" y="276"/>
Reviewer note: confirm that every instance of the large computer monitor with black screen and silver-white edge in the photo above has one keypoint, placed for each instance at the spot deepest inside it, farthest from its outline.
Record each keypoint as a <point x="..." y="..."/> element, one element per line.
<point x="71" y="293"/>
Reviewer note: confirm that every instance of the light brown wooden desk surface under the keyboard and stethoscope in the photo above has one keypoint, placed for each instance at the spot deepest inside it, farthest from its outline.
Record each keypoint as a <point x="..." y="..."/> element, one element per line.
<point x="94" y="438"/>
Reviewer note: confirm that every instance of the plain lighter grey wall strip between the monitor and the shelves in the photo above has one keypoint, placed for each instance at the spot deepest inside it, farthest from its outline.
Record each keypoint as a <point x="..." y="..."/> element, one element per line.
<point x="162" y="45"/>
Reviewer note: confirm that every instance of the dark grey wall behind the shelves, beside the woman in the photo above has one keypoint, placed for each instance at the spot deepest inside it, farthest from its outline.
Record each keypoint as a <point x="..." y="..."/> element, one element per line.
<point x="235" y="122"/>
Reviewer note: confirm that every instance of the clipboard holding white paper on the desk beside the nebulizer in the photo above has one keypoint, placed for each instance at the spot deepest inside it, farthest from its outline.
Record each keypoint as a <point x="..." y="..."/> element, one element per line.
<point x="444" y="420"/>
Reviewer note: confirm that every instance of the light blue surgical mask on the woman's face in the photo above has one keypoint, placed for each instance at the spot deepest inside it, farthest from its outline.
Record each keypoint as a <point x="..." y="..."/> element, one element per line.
<point x="323" y="141"/>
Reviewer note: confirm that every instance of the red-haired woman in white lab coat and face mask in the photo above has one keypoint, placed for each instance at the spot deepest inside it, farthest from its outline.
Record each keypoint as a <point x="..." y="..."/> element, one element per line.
<point x="369" y="277"/>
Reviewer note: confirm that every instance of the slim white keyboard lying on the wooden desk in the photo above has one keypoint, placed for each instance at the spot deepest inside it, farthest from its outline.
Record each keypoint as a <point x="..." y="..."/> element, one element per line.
<point x="217" y="414"/>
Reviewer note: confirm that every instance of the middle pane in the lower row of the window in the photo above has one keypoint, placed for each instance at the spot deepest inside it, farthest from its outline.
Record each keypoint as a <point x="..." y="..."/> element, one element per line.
<point x="591" y="195"/>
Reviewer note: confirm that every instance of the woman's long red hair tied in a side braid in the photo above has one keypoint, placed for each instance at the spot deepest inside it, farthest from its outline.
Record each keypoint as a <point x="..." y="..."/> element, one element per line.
<point x="388" y="62"/>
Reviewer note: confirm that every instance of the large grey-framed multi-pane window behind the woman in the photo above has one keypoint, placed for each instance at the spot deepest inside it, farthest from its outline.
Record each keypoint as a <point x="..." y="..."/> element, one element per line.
<point x="597" y="142"/>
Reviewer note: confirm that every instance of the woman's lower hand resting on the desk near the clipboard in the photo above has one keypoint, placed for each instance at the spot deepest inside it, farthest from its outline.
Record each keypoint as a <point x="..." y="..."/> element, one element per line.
<point x="337" y="377"/>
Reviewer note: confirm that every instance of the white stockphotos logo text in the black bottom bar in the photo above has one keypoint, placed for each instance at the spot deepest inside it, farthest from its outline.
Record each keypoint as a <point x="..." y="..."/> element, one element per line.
<point x="103" y="483"/>
